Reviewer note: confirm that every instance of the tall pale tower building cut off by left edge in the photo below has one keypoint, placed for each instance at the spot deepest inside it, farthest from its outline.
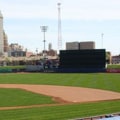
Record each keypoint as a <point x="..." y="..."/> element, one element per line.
<point x="1" y="35"/>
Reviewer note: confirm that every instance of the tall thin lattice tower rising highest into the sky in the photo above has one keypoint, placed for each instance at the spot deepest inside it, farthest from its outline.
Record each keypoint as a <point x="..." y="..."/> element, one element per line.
<point x="59" y="27"/>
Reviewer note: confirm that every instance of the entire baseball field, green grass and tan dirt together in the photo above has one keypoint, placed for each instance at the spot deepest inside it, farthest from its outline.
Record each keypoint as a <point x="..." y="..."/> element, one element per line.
<point x="56" y="96"/>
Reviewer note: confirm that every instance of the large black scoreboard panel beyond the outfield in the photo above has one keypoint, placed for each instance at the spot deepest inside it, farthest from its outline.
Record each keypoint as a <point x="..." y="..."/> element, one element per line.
<point x="83" y="58"/>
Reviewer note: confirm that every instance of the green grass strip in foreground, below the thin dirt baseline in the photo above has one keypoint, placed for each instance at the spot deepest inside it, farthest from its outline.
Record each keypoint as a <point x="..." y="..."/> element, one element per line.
<point x="61" y="112"/>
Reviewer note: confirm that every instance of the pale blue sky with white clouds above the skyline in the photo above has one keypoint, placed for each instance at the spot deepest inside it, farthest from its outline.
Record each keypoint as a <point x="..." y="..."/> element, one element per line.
<point x="81" y="20"/>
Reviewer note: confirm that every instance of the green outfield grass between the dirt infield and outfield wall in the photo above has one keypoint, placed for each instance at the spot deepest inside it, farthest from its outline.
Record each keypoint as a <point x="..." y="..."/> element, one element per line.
<point x="93" y="80"/>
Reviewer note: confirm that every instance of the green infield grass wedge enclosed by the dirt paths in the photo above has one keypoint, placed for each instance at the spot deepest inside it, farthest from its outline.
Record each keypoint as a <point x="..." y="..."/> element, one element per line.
<point x="17" y="97"/>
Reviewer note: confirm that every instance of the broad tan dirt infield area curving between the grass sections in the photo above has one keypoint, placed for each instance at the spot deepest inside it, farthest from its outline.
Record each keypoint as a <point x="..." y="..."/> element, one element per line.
<point x="68" y="94"/>
